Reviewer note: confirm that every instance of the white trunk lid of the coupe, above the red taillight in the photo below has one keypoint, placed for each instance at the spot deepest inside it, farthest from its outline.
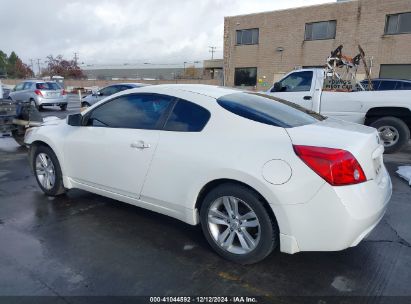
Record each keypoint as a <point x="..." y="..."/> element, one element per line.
<point x="361" y="141"/>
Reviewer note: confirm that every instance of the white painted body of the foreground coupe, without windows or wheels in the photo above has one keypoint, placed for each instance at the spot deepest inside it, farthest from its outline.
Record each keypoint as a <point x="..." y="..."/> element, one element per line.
<point x="169" y="173"/>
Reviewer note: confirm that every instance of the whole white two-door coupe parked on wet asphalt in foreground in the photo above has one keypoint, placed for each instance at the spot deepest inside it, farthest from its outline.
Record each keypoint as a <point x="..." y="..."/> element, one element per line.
<point x="255" y="171"/>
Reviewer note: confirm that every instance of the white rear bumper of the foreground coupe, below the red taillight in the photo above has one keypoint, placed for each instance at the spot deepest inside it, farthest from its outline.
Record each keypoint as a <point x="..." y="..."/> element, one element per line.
<point x="336" y="217"/>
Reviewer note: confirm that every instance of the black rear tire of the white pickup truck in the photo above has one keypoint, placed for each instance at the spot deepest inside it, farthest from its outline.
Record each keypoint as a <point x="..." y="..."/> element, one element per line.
<point x="399" y="126"/>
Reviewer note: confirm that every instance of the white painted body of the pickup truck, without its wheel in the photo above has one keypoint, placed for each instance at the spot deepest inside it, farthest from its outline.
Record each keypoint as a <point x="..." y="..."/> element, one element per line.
<point x="362" y="107"/>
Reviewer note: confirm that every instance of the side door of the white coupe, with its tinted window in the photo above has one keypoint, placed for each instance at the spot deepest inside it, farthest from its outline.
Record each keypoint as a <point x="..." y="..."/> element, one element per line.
<point x="113" y="149"/>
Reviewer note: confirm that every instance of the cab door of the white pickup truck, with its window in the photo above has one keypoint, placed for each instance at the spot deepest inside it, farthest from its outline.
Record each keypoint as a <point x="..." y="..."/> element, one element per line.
<point x="297" y="87"/>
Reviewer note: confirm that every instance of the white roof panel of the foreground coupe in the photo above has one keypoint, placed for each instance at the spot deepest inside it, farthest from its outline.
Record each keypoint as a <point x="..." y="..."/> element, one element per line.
<point x="202" y="89"/>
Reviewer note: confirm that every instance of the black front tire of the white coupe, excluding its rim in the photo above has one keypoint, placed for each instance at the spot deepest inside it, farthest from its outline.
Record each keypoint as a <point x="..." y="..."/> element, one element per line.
<point x="58" y="187"/>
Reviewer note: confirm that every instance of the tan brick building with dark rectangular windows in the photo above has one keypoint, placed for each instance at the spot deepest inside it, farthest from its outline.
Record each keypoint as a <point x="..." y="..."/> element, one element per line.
<point x="260" y="48"/>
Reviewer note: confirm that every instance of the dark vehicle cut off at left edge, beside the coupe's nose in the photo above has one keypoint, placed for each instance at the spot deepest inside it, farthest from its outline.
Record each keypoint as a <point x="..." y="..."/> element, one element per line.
<point x="16" y="117"/>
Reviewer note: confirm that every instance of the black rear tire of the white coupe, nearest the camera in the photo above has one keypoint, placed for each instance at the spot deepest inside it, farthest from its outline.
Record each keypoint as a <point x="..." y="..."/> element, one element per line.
<point x="268" y="235"/>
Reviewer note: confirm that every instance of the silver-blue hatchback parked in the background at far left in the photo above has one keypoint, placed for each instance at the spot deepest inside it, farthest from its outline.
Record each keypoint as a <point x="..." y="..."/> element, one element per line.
<point x="41" y="93"/>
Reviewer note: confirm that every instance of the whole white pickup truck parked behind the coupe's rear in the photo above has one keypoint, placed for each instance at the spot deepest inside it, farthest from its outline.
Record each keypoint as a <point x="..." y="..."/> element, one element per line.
<point x="387" y="111"/>
